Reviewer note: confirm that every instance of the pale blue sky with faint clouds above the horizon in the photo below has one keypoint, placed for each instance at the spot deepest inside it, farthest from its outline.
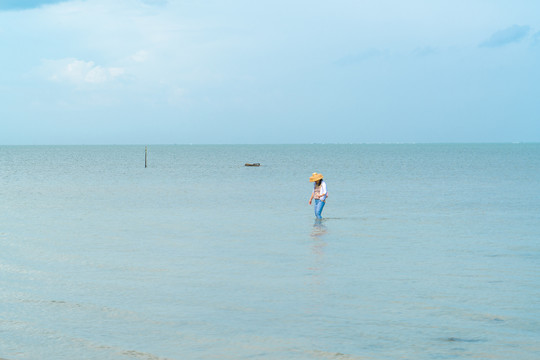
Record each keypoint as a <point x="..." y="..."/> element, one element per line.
<point x="244" y="71"/>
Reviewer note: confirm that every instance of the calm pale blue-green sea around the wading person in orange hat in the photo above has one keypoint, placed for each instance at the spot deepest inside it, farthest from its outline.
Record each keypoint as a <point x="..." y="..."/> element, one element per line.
<point x="425" y="251"/>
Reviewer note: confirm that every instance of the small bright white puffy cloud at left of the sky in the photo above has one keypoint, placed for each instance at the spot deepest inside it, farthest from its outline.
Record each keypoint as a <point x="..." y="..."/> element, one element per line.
<point x="79" y="72"/>
